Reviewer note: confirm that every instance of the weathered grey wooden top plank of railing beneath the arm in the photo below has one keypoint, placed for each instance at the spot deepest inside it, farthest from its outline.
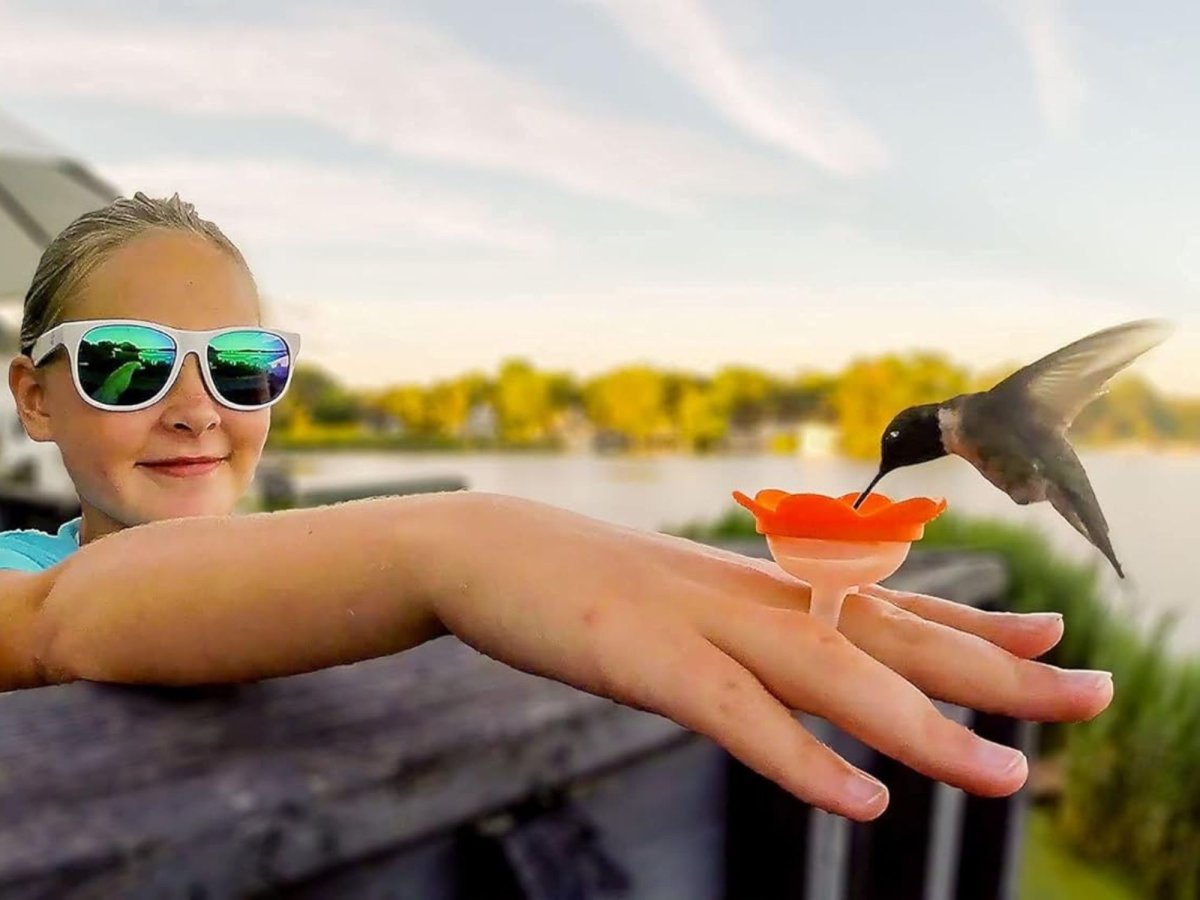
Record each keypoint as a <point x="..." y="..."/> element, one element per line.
<point x="229" y="791"/>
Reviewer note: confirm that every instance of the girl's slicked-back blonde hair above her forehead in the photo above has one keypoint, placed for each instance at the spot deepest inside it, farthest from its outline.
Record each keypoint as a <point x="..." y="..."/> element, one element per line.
<point x="93" y="238"/>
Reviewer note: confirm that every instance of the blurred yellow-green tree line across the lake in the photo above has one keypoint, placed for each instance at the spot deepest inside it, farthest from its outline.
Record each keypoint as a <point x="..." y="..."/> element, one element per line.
<point x="643" y="407"/>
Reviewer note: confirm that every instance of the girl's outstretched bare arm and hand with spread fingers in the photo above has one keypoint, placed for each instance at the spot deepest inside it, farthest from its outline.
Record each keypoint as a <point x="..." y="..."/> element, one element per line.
<point x="717" y="641"/>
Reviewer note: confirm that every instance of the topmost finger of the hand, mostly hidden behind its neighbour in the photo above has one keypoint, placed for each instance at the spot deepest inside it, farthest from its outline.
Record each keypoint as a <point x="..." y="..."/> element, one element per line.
<point x="1027" y="635"/>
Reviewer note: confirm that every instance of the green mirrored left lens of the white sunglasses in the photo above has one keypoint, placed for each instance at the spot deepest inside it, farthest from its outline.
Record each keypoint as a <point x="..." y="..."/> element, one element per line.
<point x="125" y="365"/>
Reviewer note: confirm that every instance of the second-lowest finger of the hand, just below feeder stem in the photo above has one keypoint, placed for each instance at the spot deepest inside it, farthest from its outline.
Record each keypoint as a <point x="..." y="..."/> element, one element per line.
<point x="811" y="667"/>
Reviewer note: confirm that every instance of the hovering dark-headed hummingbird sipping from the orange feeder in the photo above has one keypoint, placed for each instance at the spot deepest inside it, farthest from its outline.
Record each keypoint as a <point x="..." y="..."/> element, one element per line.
<point x="1016" y="434"/>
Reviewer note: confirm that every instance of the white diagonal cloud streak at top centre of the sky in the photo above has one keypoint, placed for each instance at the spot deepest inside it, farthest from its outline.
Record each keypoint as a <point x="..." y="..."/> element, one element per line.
<point x="773" y="103"/>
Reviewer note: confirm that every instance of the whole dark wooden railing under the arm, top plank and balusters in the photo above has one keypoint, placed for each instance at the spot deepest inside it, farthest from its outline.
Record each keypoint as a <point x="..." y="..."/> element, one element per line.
<point x="441" y="773"/>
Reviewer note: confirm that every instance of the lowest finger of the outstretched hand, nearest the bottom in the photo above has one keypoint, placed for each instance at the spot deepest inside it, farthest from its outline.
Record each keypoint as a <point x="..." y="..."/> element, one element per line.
<point x="705" y="691"/>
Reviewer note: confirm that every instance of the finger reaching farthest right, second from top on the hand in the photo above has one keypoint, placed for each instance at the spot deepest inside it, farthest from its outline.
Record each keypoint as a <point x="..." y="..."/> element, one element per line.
<point x="964" y="669"/>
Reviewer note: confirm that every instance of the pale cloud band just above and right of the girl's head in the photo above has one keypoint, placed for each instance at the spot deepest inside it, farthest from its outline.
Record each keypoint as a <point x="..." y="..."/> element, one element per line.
<point x="291" y="205"/>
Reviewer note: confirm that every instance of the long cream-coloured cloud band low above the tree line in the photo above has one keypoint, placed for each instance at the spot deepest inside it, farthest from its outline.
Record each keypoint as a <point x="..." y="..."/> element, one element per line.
<point x="703" y="325"/>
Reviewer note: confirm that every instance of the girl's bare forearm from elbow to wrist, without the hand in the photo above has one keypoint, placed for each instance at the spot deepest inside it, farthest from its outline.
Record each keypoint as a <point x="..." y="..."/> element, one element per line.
<point x="231" y="599"/>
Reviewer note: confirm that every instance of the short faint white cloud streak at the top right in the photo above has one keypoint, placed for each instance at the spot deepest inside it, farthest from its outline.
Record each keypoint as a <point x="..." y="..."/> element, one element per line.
<point x="1060" y="83"/>
